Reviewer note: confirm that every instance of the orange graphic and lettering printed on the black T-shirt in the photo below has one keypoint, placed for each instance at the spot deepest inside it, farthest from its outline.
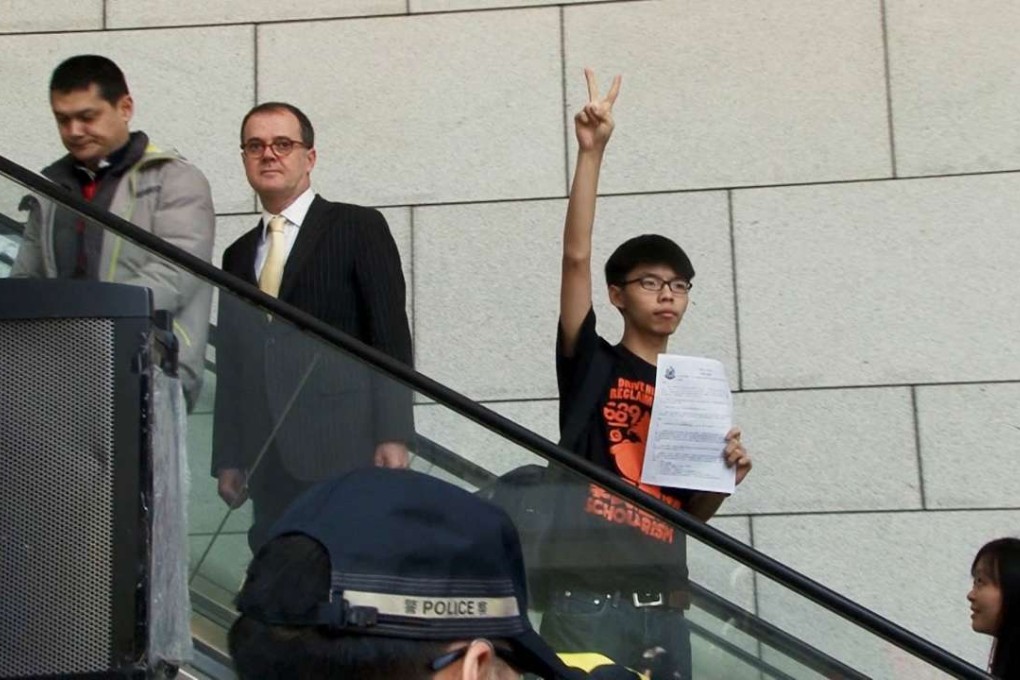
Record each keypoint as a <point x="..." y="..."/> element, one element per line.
<point x="628" y="415"/>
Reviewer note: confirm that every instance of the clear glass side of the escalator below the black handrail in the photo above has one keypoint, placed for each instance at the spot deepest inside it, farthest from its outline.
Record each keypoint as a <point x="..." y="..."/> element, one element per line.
<point x="285" y="409"/>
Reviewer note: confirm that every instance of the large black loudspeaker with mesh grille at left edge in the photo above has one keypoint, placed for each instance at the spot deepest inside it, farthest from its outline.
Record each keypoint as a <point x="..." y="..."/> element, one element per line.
<point x="75" y="479"/>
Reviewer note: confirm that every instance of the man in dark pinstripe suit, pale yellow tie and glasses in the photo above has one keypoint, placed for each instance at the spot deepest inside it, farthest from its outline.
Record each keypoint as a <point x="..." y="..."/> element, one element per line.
<point x="291" y="412"/>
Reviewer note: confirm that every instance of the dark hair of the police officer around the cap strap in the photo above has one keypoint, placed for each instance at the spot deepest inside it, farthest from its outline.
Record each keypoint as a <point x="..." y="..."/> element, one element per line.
<point x="291" y="577"/>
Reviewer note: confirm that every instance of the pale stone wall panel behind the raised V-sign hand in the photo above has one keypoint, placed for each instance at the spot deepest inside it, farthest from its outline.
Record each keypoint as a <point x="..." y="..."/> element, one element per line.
<point x="726" y="94"/>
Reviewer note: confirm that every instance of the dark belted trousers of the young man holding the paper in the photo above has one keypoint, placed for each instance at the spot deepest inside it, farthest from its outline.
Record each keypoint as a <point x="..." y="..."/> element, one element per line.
<point x="633" y="634"/>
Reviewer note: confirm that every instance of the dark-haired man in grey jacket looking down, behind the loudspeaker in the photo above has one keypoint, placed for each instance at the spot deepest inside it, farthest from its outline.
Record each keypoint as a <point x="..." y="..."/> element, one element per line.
<point x="124" y="173"/>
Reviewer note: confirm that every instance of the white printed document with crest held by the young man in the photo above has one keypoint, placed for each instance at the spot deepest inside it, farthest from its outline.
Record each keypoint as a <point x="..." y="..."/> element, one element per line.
<point x="691" y="415"/>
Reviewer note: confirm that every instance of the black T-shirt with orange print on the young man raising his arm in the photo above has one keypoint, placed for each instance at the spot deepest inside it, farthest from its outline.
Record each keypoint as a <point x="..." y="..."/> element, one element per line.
<point x="625" y="548"/>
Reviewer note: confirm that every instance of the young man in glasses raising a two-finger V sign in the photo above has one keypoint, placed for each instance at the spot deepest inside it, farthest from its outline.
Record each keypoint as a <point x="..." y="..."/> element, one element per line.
<point x="620" y="585"/>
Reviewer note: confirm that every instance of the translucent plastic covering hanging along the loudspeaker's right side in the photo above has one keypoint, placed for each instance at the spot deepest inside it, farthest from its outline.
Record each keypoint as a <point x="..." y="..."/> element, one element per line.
<point x="170" y="604"/>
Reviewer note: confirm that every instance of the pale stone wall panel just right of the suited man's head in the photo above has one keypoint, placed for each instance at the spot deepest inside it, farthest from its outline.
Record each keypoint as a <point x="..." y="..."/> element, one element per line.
<point x="433" y="109"/>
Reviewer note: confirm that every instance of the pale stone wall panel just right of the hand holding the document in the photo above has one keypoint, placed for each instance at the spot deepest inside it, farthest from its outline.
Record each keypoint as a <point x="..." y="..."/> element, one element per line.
<point x="828" y="451"/>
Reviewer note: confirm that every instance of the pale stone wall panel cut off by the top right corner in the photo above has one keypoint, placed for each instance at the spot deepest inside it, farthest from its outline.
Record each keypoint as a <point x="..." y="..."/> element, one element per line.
<point x="954" y="85"/>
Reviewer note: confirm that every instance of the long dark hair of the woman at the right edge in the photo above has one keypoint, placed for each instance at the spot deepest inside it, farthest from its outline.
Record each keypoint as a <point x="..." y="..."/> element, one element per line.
<point x="1003" y="558"/>
